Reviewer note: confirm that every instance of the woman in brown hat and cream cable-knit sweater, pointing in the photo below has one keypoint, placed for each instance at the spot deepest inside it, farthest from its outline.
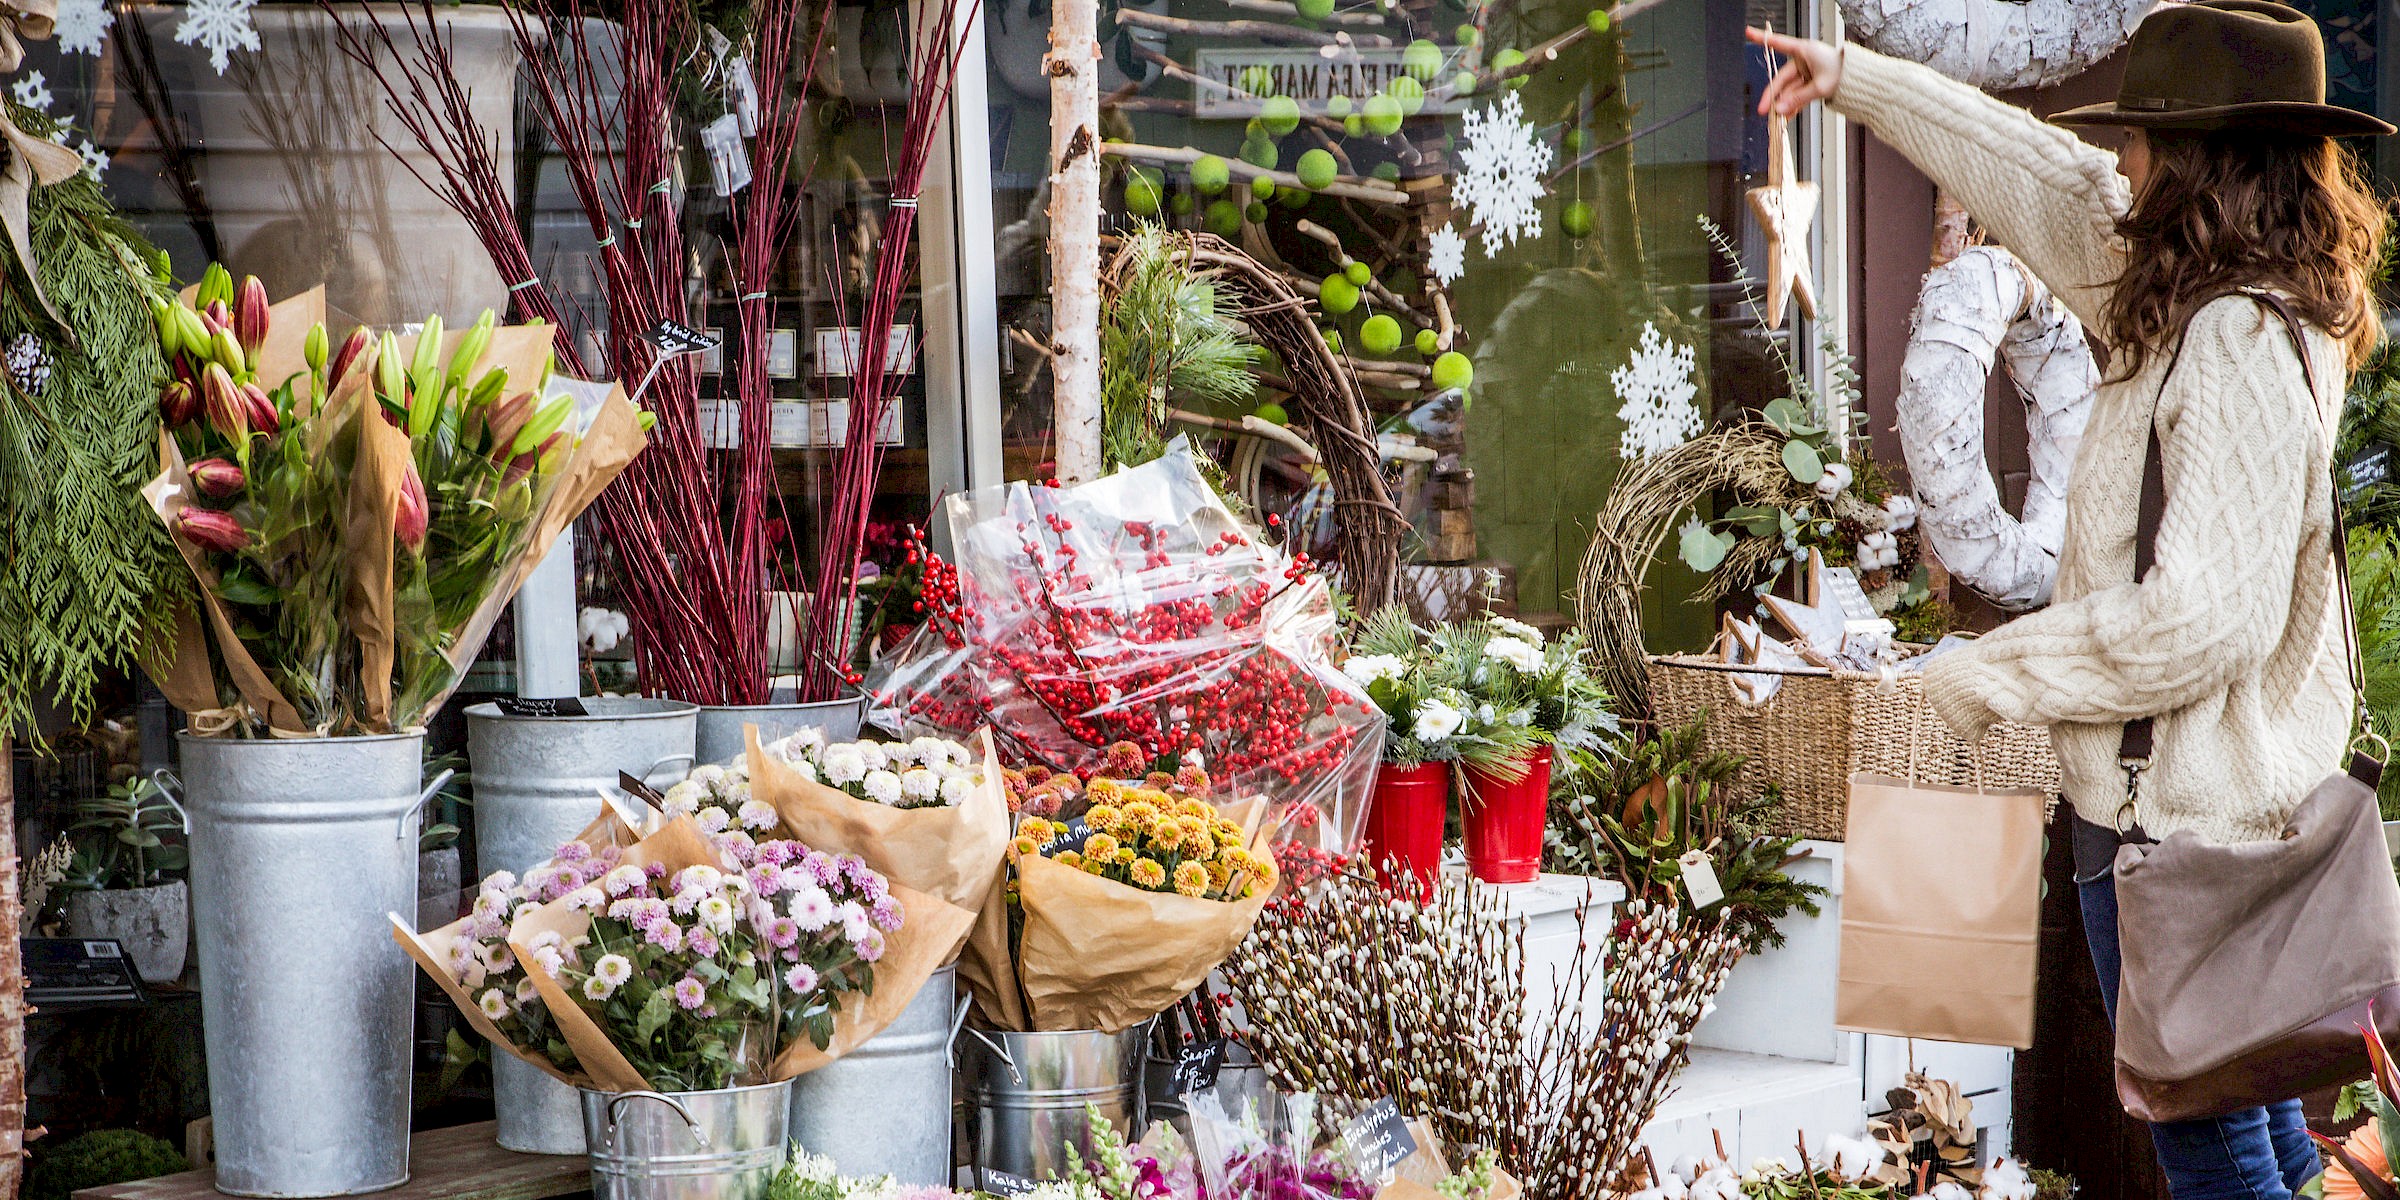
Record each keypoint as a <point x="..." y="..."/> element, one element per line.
<point x="2231" y="196"/>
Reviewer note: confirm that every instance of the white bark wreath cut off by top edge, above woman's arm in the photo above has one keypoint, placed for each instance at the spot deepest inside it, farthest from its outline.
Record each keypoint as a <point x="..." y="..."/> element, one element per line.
<point x="1998" y="44"/>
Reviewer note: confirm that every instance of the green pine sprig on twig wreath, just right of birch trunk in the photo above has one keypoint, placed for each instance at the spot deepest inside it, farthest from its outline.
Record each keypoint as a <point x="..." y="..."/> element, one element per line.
<point x="1168" y="330"/>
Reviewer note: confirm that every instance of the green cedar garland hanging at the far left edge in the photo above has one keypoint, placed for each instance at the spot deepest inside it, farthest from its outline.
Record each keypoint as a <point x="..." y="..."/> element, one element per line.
<point x="88" y="577"/>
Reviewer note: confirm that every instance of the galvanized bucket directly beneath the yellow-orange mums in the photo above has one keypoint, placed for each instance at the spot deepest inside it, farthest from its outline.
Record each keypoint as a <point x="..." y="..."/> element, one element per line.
<point x="1028" y="1093"/>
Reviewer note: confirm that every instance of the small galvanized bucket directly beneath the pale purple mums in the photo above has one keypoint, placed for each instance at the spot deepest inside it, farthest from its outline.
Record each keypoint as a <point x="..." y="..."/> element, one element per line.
<point x="688" y="1146"/>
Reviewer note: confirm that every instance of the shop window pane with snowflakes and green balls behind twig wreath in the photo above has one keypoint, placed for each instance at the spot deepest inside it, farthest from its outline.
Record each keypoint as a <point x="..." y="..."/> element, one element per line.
<point x="1530" y="169"/>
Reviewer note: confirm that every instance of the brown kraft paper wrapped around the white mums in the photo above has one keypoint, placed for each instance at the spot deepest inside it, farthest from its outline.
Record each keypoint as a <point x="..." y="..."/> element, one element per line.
<point x="947" y="851"/>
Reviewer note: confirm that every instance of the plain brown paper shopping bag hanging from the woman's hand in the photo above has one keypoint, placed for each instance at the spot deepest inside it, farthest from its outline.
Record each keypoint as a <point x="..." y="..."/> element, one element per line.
<point x="1940" y="911"/>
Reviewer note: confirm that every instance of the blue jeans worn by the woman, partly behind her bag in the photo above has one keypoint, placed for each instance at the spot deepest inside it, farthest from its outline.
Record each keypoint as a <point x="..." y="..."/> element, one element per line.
<point x="2248" y="1156"/>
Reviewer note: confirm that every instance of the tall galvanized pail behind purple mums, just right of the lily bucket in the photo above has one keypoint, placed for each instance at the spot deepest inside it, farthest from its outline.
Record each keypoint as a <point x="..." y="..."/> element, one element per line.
<point x="536" y="786"/>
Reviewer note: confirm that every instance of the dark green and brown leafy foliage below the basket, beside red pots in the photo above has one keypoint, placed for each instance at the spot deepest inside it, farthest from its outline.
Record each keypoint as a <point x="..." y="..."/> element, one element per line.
<point x="1633" y="817"/>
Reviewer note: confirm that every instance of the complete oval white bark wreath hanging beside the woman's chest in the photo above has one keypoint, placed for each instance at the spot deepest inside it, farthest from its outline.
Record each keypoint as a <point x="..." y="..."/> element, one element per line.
<point x="1979" y="306"/>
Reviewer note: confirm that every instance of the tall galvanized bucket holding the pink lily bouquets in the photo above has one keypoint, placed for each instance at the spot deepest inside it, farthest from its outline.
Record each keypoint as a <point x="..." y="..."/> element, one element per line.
<point x="299" y="851"/>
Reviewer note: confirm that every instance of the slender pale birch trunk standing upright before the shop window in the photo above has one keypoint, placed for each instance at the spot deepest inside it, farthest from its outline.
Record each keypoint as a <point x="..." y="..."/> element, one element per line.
<point x="1074" y="73"/>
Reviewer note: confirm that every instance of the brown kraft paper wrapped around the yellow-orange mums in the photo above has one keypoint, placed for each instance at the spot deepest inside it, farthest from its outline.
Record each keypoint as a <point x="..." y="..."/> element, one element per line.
<point x="1108" y="956"/>
